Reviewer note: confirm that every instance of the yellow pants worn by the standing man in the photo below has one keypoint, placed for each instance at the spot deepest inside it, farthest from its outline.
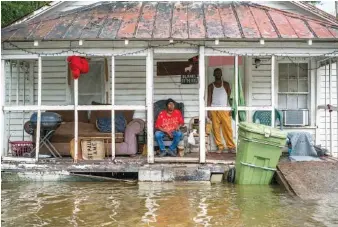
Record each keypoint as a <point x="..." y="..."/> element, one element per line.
<point x="222" y="119"/>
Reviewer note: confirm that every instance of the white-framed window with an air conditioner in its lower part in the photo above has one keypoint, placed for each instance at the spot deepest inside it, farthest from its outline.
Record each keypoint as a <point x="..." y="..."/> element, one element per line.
<point x="293" y="92"/>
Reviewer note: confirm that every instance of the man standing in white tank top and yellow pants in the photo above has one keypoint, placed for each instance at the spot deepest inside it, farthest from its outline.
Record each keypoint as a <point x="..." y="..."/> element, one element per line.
<point x="218" y="96"/>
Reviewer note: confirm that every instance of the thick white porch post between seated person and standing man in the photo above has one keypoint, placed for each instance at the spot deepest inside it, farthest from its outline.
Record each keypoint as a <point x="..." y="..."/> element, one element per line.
<point x="201" y="72"/>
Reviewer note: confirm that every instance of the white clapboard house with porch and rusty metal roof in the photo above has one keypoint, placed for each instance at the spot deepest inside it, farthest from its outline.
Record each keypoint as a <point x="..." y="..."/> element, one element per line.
<point x="285" y="54"/>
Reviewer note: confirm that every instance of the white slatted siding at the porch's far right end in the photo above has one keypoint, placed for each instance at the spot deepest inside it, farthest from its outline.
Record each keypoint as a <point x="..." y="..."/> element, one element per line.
<point x="325" y="115"/>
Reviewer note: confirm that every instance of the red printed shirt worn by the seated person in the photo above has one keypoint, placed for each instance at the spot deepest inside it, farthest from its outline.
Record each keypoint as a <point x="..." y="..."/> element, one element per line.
<point x="169" y="122"/>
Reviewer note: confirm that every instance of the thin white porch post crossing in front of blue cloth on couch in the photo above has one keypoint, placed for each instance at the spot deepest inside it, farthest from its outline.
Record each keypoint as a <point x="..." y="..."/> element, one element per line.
<point x="112" y="111"/>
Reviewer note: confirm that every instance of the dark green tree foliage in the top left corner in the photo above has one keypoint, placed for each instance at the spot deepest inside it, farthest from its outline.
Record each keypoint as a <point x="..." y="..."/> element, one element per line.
<point x="12" y="11"/>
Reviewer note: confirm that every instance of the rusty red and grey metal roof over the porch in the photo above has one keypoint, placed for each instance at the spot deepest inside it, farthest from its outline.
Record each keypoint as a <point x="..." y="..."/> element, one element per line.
<point x="176" y="20"/>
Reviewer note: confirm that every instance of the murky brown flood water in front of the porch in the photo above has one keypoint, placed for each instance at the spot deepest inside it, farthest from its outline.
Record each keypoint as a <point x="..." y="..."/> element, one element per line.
<point x="159" y="204"/>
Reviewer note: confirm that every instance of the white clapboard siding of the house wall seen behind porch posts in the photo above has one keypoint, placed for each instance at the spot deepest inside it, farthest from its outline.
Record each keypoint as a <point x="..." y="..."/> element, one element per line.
<point x="131" y="88"/>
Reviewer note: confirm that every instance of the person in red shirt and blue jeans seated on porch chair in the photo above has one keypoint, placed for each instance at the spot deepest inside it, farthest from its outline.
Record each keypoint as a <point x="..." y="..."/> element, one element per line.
<point x="169" y="122"/>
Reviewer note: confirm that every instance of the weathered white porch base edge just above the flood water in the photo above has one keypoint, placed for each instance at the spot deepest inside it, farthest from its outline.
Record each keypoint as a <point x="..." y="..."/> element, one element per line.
<point x="136" y="168"/>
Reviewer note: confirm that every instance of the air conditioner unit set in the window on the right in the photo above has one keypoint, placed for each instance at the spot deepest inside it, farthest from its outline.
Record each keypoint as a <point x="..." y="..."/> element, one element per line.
<point x="296" y="117"/>
